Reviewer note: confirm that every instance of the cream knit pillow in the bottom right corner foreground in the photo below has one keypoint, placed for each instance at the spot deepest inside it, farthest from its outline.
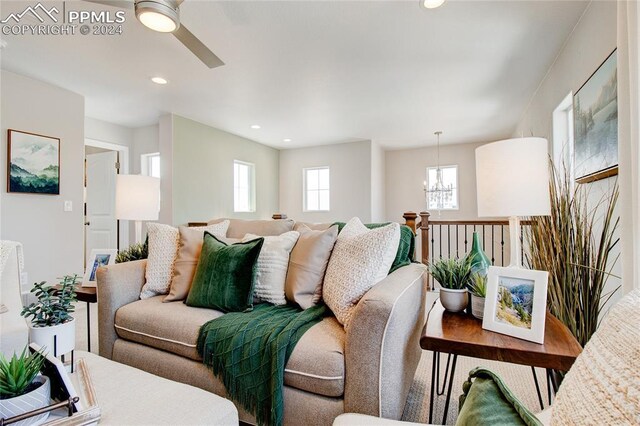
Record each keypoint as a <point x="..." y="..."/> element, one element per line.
<point x="603" y="385"/>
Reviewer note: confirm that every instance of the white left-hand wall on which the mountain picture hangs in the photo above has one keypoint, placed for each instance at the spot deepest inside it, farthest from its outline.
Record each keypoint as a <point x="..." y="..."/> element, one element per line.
<point x="52" y="238"/>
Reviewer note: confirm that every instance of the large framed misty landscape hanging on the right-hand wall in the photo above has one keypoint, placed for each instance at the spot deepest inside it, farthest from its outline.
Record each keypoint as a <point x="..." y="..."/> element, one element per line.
<point x="595" y="120"/>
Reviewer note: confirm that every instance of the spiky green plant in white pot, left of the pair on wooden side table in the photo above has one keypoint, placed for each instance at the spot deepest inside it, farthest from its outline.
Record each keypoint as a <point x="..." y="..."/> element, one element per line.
<point x="453" y="276"/>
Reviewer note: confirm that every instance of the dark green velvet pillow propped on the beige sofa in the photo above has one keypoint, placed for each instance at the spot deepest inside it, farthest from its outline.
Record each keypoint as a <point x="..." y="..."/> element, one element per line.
<point x="225" y="275"/>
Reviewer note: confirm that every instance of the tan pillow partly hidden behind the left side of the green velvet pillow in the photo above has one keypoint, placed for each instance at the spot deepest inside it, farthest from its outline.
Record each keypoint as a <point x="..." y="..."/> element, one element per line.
<point x="189" y="248"/>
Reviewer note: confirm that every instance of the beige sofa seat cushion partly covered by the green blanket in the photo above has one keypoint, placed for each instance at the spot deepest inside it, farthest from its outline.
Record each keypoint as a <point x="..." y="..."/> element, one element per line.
<point x="316" y="364"/>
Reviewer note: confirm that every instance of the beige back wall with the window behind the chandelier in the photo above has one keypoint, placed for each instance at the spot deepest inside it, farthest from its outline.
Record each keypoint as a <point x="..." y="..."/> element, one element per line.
<point x="406" y="171"/>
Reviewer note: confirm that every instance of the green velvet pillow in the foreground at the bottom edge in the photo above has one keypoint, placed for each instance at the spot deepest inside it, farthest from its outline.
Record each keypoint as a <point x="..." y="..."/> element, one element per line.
<point x="487" y="401"/>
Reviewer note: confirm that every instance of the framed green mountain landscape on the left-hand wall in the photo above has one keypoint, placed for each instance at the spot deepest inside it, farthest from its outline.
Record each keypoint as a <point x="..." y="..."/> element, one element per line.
<point x="33" y="163"/>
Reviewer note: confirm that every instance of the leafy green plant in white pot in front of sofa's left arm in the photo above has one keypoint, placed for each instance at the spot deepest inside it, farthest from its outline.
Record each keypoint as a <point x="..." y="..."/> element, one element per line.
<point x="51" y="324"/>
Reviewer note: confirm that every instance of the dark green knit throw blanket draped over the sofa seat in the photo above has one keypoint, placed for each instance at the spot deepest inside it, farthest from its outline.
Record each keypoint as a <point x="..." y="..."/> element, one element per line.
<point x="248" y="352"/>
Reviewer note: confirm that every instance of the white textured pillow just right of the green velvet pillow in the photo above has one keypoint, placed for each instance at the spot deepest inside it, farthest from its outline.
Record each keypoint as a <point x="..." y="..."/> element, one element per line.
<point x="273" y="262"/>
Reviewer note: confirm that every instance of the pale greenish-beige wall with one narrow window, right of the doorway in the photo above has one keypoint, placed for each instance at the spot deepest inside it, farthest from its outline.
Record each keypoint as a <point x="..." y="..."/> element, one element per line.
<point x="202" y="172"/>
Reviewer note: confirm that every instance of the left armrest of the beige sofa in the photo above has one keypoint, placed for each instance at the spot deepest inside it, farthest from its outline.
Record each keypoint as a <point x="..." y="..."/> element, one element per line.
<point x="118" y="285"/>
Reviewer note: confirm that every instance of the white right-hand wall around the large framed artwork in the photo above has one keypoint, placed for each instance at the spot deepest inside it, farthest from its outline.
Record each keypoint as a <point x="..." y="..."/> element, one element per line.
<point x="591" y="42"/>
